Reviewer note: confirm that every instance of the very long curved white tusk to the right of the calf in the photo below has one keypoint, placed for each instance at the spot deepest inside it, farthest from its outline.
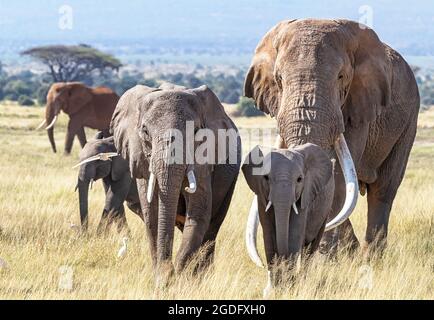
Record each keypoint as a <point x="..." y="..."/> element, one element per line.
<point x="351" y="182"/>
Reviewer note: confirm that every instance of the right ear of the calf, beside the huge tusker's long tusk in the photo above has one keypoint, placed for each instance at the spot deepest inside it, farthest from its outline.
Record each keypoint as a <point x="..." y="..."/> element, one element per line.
<point x="318" y="170"/>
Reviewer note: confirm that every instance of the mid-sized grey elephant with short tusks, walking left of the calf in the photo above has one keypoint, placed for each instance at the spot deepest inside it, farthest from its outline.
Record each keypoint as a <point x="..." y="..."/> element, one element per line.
<point x="140" y="124"/>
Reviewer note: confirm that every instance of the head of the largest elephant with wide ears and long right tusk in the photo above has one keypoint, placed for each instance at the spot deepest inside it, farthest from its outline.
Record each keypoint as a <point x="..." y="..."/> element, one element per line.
<point x="316" y="77"/>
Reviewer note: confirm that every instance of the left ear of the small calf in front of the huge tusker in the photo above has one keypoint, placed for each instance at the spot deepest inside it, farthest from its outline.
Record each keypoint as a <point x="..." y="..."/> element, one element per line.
<point x="255" y="171"/>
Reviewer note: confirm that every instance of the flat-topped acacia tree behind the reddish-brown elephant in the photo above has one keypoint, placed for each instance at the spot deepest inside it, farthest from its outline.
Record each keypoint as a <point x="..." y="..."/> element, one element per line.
<point x="73" y="63"/>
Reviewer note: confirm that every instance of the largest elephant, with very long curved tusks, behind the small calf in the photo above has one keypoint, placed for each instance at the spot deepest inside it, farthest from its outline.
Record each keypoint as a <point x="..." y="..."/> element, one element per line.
<point x="335" y="84"/>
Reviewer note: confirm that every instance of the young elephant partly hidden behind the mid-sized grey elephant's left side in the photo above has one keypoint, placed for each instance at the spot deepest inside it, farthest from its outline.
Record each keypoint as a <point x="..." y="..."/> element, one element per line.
<point x="99" y="160"/>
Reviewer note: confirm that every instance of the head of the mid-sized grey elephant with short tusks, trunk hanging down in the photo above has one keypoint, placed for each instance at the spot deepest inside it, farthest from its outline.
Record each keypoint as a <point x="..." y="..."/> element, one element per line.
<point x="141" y="122"/>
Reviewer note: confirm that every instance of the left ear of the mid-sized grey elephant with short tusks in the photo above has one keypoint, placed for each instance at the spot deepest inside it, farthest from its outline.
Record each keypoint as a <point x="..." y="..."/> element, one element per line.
<point x="124" y="129"/>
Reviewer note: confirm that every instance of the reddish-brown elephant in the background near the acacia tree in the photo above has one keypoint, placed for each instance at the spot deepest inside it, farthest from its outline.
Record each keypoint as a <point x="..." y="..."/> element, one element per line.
<point x="86" y="107"/>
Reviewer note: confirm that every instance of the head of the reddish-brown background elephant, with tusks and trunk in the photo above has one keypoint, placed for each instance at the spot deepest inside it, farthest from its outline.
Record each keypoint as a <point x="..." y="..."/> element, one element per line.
<point x="69" y="97"/>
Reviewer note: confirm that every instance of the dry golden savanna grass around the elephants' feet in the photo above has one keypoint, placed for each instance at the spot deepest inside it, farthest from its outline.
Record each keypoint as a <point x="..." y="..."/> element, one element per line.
<point x="37" y="204"/>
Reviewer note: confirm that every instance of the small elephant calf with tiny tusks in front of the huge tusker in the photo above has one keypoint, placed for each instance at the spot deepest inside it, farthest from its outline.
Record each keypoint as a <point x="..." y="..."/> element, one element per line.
<point x="289" y="185"/>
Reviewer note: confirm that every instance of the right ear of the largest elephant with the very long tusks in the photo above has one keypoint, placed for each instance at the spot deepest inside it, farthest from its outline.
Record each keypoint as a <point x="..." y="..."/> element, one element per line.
<point x="370" y="89"/>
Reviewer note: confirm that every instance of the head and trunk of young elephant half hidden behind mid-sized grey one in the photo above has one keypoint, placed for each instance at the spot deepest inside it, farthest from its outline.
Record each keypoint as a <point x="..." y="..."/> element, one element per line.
<point x="98" y="159"/>
